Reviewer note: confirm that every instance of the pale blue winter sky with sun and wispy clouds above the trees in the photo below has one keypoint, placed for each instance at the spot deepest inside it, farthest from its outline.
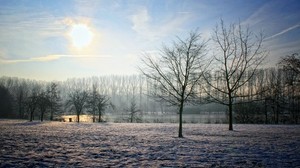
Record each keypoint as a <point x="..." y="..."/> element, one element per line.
<point x="60" y="39"/>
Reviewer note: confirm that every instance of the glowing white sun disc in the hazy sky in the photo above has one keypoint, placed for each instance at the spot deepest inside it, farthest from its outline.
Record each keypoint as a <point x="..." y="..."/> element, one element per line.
<point x="81" y="35"/>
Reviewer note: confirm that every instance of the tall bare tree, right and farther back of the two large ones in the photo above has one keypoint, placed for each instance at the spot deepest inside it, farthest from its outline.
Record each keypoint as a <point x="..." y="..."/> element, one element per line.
<point x="238" y="55"/>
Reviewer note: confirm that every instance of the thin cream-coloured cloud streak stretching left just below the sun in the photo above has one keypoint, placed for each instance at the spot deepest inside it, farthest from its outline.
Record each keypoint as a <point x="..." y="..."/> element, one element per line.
<point x="49" y="58"/>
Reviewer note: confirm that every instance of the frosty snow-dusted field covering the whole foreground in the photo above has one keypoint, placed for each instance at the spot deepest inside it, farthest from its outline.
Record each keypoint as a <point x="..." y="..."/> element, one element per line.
<point x="58" y="144"/>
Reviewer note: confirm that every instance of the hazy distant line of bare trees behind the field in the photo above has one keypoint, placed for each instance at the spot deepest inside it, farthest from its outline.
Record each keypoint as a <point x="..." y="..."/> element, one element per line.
<point x="278" y="100"/>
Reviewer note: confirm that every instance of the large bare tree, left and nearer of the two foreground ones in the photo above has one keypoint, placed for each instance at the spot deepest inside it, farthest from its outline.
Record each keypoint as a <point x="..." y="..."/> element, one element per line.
<point x="177" y="71"/>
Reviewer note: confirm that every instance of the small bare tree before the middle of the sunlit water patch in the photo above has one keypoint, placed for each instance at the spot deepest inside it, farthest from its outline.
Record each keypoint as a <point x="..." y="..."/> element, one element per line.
<point x="77" y="101"/>
